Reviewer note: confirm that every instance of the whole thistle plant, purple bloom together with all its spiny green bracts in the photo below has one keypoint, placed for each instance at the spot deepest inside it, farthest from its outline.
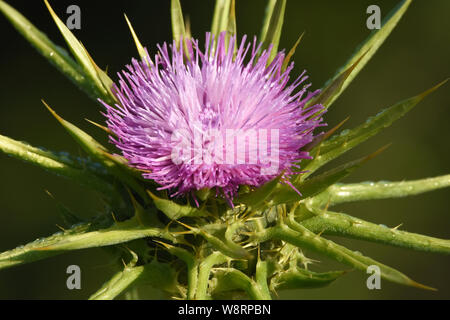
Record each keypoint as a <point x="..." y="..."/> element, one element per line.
<point x="210" y="183"/>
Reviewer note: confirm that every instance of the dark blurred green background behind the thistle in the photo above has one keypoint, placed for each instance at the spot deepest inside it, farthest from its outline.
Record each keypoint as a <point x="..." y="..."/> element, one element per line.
<point x="414" y="58"/>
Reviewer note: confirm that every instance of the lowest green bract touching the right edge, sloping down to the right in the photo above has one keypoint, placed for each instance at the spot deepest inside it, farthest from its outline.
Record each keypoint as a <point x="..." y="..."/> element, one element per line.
<point x="344" y="225"/>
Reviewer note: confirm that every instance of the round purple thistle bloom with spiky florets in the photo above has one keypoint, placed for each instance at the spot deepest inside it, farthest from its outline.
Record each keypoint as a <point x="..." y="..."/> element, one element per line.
<point x="218" y="119"/>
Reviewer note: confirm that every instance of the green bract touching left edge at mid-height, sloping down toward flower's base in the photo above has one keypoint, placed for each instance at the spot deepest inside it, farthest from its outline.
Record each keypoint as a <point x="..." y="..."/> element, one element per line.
<point x="52" y="163"/>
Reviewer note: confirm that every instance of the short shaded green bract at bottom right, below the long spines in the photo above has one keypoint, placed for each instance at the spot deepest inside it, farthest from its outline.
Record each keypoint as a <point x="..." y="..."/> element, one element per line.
<point x="301" y="279"/>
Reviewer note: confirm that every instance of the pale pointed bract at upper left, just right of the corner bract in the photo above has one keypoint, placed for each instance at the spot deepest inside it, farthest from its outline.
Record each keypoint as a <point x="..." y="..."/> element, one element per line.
<point x="91" y="71"/>
